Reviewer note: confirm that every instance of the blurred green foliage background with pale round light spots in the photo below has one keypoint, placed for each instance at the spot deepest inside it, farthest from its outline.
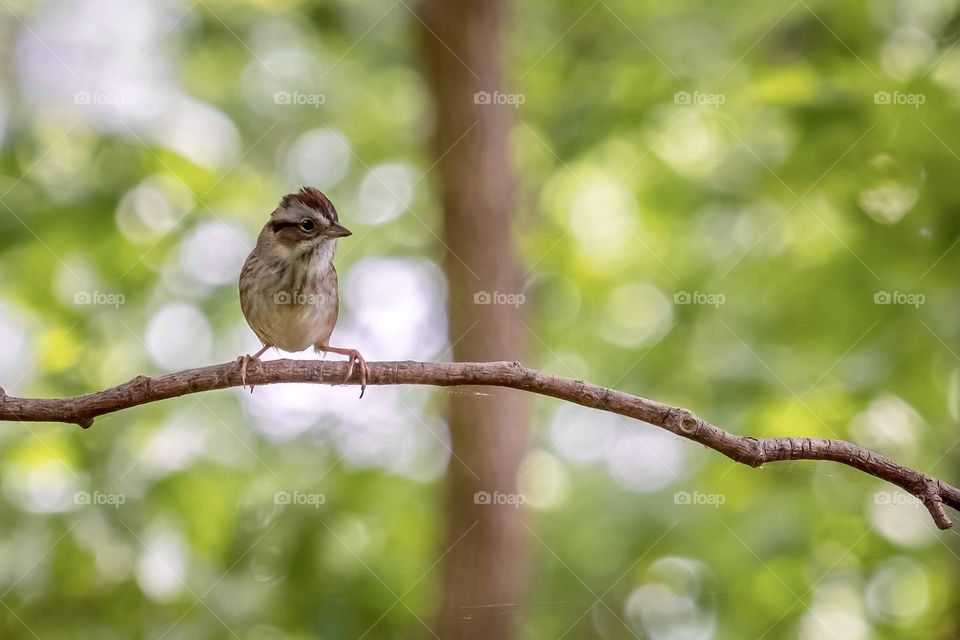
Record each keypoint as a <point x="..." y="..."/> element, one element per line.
<point x="747" y="210"/>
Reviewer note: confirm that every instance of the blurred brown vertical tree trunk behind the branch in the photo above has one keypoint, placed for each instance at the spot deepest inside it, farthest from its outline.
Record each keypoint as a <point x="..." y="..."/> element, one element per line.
<point x="485" y="561"/>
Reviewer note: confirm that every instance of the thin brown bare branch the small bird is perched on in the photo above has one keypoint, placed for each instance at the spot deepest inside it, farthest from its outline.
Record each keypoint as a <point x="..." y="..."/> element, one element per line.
<point x="82" y="410"/>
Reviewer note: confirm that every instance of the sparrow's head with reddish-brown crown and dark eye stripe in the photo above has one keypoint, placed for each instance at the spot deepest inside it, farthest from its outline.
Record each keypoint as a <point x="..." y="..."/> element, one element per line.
<point x="304" y="220"/>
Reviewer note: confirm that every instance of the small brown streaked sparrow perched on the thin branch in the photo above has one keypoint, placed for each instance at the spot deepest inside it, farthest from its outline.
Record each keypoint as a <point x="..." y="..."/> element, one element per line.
<point x="288" y="285"/>
